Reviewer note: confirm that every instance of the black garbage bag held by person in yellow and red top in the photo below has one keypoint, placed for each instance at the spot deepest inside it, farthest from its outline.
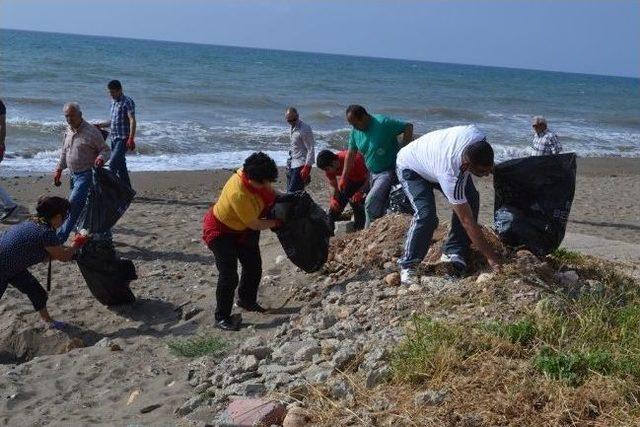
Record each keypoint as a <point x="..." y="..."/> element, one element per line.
<point x="305" y="232"/>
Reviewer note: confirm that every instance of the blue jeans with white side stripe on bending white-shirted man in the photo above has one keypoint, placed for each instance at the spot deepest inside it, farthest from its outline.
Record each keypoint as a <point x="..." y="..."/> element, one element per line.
<point x="425" y="219"/>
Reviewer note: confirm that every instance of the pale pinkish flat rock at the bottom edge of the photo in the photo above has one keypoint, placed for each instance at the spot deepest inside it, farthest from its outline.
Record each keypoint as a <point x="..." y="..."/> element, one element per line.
<point x="255" y="412"/>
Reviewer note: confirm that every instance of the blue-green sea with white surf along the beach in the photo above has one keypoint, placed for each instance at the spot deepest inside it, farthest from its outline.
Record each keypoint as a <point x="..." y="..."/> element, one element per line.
<point x="206" y="106"/>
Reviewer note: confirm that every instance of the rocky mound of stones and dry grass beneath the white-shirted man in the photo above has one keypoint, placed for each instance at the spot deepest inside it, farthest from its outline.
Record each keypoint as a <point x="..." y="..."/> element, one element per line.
<point x="333" y="363"/>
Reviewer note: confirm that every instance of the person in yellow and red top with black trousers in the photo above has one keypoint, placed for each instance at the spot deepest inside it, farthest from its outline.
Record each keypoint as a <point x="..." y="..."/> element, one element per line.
<point x="231" y="230"/>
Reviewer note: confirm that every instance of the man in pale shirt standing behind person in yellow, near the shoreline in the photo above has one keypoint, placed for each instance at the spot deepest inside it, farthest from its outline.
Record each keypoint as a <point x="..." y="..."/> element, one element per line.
<point x="302" y="152"/>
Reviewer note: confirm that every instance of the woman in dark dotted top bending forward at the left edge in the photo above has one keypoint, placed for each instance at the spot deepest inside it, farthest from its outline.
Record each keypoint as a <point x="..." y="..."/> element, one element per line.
<point x="31" y="242"/>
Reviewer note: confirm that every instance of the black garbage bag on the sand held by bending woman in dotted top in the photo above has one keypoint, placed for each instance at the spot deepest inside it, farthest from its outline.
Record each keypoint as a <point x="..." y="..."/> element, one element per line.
<point x="106" y="275"/>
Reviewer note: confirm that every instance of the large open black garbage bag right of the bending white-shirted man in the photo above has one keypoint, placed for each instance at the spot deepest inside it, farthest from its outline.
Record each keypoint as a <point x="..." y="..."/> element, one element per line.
<point x="533" y="198"/>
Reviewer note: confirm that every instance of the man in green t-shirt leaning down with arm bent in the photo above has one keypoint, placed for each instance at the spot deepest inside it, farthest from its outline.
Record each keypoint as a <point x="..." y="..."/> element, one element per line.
<point x="376" y="137"/>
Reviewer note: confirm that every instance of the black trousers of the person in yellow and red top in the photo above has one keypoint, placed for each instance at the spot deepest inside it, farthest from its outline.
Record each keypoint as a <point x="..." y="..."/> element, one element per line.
<point x="228" y="250"/>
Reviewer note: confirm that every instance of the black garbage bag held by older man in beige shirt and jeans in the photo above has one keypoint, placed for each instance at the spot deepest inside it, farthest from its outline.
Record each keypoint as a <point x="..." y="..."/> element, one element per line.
<point x="107" y="201"/>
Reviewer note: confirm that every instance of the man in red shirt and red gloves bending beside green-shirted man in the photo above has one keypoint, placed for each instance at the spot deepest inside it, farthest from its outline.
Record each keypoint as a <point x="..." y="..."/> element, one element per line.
<point x="352" y="190"/>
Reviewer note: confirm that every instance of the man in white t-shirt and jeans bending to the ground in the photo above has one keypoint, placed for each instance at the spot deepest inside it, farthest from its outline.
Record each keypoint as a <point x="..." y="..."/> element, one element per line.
<point x="443" y="160"/>
